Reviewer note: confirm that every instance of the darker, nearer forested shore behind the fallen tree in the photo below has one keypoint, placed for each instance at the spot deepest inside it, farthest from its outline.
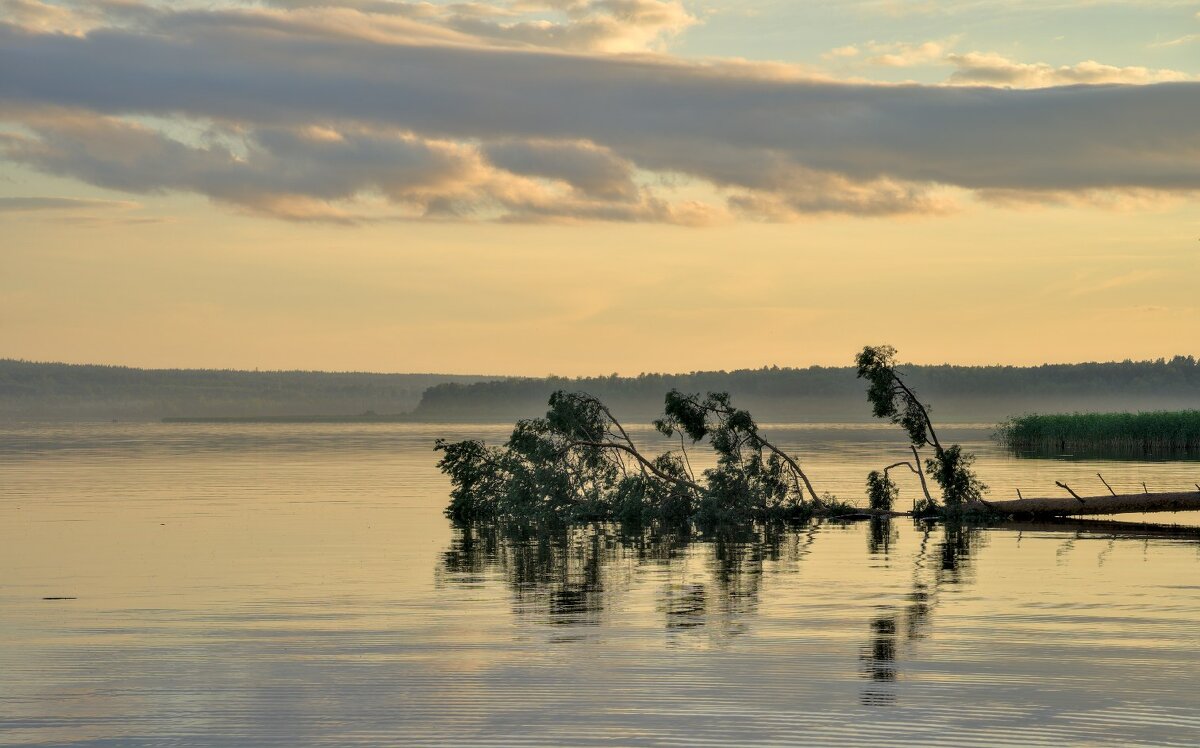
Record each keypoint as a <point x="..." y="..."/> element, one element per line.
<point x="833" y="393"/>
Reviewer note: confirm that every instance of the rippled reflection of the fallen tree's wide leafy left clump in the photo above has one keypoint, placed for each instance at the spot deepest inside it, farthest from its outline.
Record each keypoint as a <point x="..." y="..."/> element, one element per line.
<point x="571" y="576"/>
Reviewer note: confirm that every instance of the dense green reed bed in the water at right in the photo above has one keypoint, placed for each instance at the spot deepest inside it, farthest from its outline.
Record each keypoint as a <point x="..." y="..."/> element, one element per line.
<point x="1157" y="433"/>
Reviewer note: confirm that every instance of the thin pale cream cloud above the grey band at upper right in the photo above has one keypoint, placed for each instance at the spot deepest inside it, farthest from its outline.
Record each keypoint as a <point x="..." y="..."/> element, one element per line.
<point x="991" y="69"/>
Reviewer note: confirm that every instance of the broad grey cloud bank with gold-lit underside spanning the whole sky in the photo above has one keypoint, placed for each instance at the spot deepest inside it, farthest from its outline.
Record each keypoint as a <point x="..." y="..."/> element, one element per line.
<point x="320" y="124"/>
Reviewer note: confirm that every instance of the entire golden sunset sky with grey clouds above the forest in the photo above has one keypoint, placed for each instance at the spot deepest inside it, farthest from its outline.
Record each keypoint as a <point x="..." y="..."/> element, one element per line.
<point x="598" y="187"/>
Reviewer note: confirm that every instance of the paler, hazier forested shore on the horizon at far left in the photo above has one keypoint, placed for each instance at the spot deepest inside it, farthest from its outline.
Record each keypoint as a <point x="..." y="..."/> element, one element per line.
<point x="34" y="391"/>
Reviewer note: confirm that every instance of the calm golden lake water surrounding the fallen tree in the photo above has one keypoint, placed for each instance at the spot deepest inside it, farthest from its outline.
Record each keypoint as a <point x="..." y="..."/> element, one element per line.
<point x="287" y="585"/>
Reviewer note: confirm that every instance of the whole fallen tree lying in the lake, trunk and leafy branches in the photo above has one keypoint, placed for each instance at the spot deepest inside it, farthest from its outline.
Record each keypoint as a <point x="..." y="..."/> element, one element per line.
<point x="580" y="464"/>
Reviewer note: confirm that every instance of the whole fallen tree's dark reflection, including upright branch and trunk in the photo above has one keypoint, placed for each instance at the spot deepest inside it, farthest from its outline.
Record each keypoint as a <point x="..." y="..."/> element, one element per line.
<point x="705" y="589"/>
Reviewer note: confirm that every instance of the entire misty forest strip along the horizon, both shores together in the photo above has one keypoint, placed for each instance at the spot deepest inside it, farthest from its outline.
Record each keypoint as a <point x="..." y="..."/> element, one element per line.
<point x="958" y="394"/>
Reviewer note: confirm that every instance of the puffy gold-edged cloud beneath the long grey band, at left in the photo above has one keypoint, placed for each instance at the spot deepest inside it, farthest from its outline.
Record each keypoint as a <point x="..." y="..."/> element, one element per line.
<point x="316" y="173"/>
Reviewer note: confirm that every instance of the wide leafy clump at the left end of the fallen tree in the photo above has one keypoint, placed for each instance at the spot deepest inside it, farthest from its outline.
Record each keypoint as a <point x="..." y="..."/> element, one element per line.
<point x="579" y="463"/>
